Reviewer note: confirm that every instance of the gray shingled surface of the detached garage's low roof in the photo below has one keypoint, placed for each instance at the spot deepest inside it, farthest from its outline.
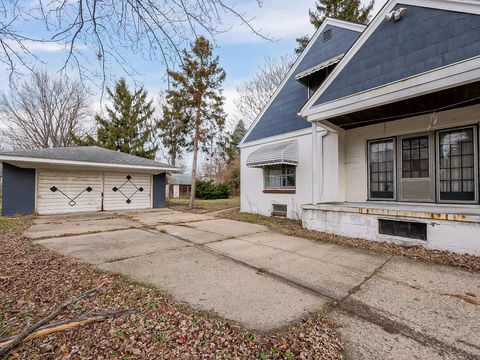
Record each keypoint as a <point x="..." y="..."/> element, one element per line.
<point x="87" y="154"/>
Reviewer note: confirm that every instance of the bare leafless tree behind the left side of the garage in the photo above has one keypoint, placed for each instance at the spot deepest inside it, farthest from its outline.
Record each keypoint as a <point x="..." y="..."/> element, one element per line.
<point x="44" y="112"/>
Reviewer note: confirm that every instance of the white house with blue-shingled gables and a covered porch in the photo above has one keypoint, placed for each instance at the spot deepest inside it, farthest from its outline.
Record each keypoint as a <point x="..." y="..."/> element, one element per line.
<point x="393" y="151"/>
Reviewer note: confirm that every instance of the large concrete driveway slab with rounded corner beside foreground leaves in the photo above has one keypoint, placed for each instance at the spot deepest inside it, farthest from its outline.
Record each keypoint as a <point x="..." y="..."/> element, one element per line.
<point x="212" y="283"/>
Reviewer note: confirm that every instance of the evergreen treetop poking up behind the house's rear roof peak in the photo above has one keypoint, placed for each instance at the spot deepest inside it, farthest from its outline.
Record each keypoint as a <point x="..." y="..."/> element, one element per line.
<point x="348" y="10"/>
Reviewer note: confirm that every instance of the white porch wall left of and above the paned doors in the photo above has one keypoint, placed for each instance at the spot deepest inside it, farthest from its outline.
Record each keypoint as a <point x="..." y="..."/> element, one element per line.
<point x="356" y="141"/>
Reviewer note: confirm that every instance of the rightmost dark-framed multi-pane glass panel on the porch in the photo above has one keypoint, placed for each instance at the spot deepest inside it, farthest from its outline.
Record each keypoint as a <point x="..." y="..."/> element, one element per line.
<point x="457" y="165"/>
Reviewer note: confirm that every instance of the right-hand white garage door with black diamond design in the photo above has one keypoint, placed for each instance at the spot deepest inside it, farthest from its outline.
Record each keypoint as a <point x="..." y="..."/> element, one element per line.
<point x="126" y="191"/>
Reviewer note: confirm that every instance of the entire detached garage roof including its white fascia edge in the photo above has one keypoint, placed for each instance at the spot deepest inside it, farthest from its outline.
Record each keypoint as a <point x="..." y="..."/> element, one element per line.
<point x="85" y="155"/>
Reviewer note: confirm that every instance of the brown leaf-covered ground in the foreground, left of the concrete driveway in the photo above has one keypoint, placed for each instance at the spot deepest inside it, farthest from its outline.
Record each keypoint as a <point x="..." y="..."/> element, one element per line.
<point x="33" y="281"/>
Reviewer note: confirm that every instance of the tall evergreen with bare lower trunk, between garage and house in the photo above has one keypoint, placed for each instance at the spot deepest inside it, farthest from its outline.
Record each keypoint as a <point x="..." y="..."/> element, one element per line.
<point x="197" y="86"/>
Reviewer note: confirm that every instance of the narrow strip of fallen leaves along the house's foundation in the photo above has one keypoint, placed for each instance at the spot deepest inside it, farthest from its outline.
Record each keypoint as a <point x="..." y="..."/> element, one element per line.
<point x="294" y="228"/>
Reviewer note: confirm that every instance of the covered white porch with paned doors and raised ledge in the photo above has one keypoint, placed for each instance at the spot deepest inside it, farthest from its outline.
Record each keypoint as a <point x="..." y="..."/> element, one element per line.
<point x="411" y="180"/>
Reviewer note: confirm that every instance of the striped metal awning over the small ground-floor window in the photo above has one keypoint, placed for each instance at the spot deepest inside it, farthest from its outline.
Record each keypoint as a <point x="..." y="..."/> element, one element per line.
<point x="282" y="153"/>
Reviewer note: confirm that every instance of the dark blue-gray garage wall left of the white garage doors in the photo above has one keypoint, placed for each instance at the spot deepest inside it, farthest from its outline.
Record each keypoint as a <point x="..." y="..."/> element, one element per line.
<point x="18" y="195"/>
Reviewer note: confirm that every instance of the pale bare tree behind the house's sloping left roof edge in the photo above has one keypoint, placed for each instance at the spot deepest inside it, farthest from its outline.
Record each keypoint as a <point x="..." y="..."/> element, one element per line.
<point x="254" y="93"/>
